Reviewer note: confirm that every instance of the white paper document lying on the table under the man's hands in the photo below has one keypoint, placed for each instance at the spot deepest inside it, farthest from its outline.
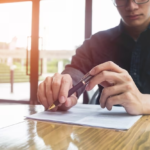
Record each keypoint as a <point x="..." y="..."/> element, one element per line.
<point x="90" y="115"/>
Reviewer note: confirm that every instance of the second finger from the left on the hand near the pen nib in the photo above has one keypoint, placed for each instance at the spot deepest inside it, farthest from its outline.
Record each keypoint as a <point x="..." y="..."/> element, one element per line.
<point x="48" y="91"/>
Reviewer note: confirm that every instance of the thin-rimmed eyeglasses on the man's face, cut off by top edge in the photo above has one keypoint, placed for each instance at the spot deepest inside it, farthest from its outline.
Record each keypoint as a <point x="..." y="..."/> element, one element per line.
<point x="120" y="3"/>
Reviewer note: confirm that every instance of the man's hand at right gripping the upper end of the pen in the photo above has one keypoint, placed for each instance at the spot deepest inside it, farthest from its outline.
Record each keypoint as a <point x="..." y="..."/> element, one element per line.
<point x="119" y="88"/>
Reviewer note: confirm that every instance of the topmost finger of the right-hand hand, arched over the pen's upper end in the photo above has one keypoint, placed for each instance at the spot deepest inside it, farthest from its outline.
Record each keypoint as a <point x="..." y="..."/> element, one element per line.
<point x="109" y="66"/>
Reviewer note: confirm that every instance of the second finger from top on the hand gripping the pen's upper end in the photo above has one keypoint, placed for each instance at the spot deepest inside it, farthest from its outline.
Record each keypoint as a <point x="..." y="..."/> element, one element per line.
<point x="105" y="76"/>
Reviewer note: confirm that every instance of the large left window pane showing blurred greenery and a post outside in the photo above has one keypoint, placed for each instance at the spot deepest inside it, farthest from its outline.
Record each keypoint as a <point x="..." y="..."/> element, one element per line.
<point x="15" y="27"/>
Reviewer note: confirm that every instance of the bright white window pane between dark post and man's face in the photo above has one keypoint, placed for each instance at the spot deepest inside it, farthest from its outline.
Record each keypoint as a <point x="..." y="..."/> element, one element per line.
<point x="104" y="16"/>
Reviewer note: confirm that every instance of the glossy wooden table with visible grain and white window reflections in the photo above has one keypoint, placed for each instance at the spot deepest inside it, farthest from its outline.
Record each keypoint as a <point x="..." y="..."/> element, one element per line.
<point x="32" y="135"/>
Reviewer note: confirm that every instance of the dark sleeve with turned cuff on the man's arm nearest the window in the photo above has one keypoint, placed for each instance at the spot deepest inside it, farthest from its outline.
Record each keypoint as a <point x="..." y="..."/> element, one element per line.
<point x="92" y="52"/>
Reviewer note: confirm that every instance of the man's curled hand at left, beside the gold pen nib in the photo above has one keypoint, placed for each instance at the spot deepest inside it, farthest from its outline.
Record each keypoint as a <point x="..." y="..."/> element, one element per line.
<point x="56" y="87"/>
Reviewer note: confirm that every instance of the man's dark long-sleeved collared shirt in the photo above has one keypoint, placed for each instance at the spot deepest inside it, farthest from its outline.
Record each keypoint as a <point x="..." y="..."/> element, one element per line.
<point x="117" y="46"/>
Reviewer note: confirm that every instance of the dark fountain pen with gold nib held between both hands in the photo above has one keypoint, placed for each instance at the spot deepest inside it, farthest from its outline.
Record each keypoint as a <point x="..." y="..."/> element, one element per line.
<point x="86" y="78"/>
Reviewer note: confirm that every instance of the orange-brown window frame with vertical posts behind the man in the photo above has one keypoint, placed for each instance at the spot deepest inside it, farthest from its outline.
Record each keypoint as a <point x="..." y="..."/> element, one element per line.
<point x="34" y="57"/>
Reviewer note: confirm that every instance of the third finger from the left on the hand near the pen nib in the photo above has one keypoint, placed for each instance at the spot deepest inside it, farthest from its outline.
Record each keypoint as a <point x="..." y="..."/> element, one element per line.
<point x="56" y="83"/>
